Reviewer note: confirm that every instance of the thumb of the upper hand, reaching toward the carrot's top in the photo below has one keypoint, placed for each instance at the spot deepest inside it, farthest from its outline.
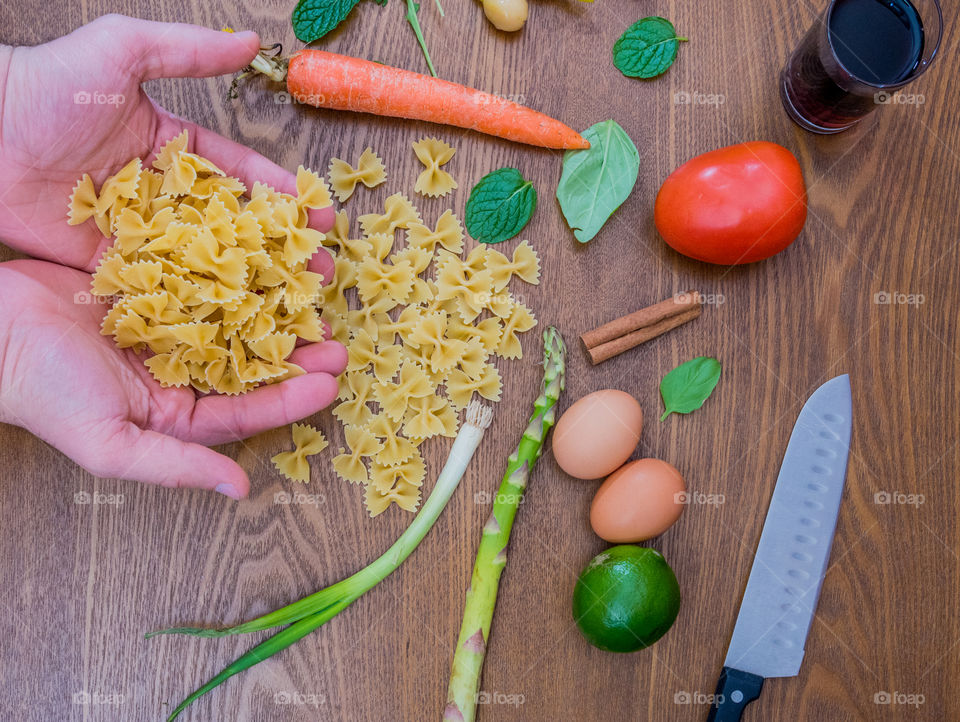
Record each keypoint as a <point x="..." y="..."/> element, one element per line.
<point x="177" y="50"/>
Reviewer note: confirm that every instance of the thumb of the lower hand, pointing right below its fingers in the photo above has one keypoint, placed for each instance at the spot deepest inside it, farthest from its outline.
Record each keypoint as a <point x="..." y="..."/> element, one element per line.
<point x="156" y="458"/>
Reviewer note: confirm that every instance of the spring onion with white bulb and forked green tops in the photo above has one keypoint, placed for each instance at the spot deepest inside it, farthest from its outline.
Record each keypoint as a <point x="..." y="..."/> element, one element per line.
<point x="317" y="609"/>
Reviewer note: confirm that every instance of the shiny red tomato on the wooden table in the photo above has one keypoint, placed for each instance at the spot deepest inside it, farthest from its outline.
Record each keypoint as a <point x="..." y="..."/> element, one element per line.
<point x="734" y="205"/>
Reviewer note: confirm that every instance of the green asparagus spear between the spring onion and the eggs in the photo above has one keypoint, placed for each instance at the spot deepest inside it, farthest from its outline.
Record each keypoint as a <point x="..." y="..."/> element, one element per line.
<point x="492" y="552"/>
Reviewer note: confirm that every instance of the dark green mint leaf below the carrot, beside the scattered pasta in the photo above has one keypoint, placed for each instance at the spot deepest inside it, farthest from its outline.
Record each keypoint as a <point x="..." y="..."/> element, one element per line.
<point x="500" y="205"/>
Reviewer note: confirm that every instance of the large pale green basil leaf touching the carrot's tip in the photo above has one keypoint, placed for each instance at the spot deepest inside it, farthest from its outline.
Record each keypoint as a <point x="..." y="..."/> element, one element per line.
<point x="596" y="181"/>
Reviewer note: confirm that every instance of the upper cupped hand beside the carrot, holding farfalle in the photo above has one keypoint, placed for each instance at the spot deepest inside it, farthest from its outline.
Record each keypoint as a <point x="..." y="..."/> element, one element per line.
<point x="75" y="106"/>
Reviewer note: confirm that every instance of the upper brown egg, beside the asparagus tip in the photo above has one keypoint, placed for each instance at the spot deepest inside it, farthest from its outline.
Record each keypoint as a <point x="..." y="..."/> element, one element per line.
<point x="597" y="434"/>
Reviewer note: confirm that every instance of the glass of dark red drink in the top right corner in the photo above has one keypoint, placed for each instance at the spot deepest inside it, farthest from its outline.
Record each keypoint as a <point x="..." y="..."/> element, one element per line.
<point x="855" y="57"/>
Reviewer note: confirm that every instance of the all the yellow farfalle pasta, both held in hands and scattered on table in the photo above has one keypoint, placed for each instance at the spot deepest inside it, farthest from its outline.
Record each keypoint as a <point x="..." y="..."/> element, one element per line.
<point x="216" y="287"/>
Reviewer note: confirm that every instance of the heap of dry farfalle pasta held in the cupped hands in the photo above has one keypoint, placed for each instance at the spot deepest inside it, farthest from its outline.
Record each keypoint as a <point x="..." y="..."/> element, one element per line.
<point x="214" y="286"/>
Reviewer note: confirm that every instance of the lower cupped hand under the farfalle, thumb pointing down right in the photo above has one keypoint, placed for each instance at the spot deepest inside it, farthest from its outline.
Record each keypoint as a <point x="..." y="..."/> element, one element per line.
<point x="71" y="386"/>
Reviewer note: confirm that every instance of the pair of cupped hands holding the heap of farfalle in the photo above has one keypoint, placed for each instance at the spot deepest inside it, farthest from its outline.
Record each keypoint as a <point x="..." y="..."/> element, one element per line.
<point x="73" y="106"/>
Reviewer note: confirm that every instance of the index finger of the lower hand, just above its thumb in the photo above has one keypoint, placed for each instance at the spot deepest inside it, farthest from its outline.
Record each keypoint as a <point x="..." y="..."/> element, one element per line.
<point x="219" y="419"/>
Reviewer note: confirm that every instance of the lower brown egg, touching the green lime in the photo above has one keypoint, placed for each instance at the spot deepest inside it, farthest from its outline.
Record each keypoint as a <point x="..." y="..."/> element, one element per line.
<point x="639" y="501"/>
